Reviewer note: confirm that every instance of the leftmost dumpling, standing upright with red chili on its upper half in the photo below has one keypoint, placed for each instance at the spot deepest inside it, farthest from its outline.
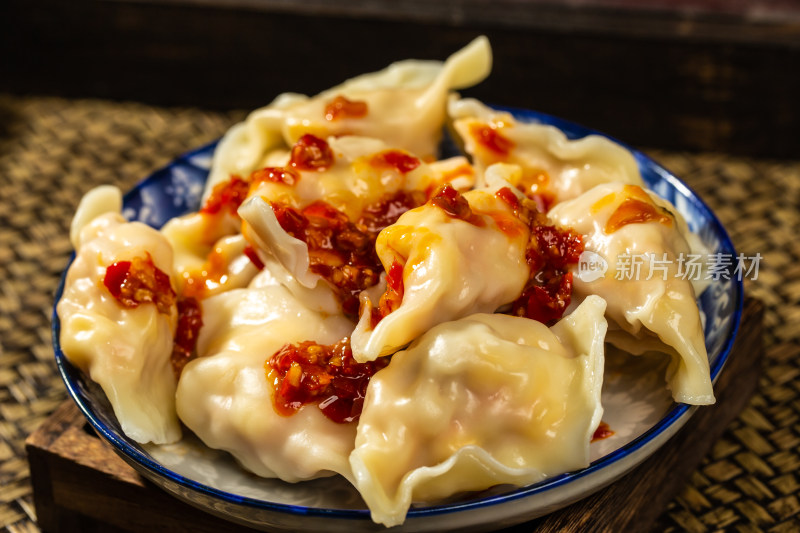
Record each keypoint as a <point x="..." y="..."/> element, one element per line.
<point x="118" y="316"/>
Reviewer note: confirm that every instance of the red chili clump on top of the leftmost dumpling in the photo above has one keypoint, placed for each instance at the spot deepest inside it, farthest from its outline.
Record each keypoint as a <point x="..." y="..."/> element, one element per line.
<point x="139" y="281"/>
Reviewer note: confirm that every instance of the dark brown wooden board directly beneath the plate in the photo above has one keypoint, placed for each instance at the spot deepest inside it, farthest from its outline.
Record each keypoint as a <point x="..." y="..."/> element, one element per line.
<point x="81" y="485"/>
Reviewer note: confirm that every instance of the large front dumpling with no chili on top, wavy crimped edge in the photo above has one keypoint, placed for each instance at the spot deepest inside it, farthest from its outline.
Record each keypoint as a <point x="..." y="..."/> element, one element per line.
<point x="486" y="400"/>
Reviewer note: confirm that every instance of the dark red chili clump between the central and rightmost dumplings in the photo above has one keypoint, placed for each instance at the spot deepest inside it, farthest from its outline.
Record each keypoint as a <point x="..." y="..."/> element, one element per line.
<point x="551" y="251"/>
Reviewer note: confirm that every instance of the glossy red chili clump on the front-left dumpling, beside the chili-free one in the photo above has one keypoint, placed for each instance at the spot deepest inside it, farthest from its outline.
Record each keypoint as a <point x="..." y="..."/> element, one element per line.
<point x="327" y="375"/>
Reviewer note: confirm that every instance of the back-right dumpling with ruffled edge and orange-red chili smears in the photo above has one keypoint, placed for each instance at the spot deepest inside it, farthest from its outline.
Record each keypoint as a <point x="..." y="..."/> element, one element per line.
<point x="555" y="168"/>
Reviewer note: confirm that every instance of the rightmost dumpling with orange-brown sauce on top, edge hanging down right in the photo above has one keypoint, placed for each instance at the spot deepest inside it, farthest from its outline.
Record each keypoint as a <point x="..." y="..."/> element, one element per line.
<point x="651" y="304"/>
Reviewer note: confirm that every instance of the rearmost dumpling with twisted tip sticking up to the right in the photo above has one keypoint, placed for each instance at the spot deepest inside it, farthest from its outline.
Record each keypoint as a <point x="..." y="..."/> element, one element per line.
<point x="404" y="105"/>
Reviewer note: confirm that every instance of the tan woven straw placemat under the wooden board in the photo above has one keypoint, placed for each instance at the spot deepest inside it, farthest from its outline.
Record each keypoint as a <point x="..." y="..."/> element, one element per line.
<point x="54" y="150"/>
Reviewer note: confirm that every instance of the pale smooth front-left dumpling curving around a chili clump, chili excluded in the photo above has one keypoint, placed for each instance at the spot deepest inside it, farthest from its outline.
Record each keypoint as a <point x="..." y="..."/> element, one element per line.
<point x="225" y="397"/>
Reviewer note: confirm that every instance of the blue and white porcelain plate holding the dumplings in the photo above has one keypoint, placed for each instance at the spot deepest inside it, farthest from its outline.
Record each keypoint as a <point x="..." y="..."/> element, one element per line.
<point x="638" y="408"/>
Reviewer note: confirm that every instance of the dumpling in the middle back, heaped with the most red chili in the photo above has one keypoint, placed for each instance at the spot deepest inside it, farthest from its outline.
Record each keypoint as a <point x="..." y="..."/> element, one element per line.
<point x="318" y="216"/>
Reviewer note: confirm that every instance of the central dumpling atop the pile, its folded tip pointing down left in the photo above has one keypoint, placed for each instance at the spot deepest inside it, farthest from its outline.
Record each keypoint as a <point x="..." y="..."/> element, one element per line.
<point x="452" y="257"/>
